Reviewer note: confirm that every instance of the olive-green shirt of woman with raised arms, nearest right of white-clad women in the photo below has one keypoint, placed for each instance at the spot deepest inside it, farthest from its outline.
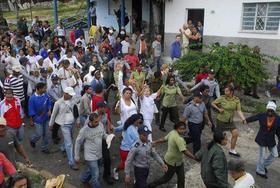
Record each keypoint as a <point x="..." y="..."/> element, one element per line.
<point x="170" y="92"/>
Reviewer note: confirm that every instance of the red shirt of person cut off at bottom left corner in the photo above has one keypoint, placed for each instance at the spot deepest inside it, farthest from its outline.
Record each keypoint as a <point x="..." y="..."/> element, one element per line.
<point x="5" y="167"/>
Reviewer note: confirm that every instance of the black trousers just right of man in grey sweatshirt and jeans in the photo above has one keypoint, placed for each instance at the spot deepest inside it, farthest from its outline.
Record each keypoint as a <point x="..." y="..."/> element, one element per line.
<point x="106" y="160"/>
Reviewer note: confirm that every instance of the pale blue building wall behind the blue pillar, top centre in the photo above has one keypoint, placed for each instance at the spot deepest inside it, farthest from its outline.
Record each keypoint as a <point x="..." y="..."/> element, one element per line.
<point x="103" y="17"/>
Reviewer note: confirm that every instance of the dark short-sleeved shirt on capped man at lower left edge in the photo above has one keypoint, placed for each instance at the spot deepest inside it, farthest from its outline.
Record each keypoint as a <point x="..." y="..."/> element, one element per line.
<point x="8" y="143"/>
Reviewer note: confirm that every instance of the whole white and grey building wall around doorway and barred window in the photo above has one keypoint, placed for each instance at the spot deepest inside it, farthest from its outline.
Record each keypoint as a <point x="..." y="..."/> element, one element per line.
<point x="222" y="23"/>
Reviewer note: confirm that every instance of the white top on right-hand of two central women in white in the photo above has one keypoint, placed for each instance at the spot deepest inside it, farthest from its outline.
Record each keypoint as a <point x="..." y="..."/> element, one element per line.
<point x="148" y="106"/>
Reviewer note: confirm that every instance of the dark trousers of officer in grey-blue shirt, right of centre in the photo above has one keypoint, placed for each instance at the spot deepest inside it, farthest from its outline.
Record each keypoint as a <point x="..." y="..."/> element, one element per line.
<point x="195" y="135"/>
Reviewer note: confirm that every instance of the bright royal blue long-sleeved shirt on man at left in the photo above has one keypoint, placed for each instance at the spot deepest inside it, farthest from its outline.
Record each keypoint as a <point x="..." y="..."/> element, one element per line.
<point x="38" y="107"/>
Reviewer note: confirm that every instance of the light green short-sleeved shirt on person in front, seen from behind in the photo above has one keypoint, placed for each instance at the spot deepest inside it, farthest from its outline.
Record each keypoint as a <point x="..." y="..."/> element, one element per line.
<point x="176" y="145"/>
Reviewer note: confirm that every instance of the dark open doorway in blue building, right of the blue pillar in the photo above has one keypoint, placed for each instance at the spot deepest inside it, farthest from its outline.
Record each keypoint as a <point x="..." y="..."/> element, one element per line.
<point x="136" y="15"/>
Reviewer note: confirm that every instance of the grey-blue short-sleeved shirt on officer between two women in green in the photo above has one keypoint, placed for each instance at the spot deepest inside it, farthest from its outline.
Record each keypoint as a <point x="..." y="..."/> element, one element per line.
<point x="194" y="113"/>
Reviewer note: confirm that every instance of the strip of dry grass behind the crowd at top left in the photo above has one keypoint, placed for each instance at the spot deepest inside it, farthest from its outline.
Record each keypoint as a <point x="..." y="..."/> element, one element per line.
<point x="46" y="13"/>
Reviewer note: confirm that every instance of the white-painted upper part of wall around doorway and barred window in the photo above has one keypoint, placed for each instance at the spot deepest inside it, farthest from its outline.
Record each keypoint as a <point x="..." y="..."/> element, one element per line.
<point x="221" y="17"/>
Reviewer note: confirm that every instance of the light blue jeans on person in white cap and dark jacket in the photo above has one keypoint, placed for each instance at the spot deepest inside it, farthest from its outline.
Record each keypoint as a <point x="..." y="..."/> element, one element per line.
<point x="266" y="161"/>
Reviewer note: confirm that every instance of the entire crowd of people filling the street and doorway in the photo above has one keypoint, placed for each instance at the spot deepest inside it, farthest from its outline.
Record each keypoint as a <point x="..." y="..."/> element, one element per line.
<point x="55" y="82"/>
